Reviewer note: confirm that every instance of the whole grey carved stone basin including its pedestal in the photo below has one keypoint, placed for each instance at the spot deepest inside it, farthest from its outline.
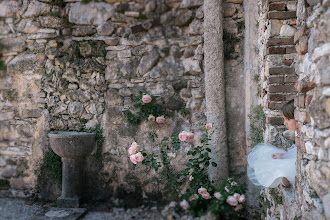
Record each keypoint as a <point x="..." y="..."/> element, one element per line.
<point x="72" y="147"/>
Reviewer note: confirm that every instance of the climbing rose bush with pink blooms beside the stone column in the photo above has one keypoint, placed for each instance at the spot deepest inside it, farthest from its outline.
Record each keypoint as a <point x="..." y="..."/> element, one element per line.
<point x="190" y="186"/>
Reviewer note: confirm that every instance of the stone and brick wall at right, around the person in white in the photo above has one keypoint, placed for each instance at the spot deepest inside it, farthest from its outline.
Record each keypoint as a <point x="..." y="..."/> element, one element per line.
<point x="296" y="49"/>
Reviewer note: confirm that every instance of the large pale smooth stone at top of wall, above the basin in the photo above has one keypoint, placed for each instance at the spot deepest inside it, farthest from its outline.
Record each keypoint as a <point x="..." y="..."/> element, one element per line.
<point x="94" y="13"/>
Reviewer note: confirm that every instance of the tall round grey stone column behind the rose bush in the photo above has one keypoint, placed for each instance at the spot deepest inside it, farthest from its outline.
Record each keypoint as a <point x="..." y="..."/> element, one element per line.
<point x="215" y="86"/>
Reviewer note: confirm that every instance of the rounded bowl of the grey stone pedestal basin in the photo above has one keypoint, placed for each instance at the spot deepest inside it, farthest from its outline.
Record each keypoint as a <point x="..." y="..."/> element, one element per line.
<point x="72" y="144"/>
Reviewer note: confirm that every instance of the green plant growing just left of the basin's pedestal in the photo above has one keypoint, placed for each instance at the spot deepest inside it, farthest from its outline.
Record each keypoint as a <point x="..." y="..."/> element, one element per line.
<point x="52" y="162"/>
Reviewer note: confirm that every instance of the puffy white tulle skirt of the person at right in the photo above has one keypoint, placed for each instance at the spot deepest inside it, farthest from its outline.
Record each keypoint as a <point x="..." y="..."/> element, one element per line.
<point x="264" y="170"/>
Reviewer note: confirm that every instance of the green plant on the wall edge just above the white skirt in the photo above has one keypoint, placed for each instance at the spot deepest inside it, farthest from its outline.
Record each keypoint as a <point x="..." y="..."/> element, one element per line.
<point x="257" y="125"/>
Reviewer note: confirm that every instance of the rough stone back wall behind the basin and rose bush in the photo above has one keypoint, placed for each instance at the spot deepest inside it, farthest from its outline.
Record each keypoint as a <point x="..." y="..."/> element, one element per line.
<point x="72" y="66"/>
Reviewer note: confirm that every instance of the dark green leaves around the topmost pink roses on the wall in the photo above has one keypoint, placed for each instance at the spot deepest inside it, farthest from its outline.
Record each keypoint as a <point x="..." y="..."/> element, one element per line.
<point x="145" y="109"/>
